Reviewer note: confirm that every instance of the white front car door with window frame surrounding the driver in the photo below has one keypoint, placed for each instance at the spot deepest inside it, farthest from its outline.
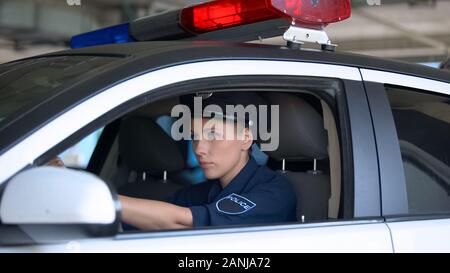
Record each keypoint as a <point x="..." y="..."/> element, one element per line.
<point x="360" y="227"/>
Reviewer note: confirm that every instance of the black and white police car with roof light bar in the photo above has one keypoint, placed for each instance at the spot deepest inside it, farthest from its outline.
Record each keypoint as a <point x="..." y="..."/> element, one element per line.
<point x="364" y="141"/>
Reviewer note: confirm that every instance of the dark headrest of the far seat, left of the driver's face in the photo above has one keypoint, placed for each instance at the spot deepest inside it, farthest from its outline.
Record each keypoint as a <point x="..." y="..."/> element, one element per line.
<point x="145" y="147"/>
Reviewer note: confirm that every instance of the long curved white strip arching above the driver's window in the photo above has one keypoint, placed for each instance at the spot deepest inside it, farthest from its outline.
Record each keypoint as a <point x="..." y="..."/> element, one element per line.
<point x="56" y="131"/>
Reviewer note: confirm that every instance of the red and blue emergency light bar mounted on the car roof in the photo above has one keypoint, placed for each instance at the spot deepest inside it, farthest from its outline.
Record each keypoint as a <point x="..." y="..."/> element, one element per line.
<point x="197" y="20"/>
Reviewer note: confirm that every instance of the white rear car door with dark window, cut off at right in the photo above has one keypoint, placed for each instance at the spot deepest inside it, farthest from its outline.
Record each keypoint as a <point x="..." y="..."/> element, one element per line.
<point x="411" y="118"/>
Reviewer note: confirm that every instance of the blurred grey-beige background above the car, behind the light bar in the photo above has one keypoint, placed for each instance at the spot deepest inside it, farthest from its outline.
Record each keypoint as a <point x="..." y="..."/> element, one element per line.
<point x="410" y="30"/>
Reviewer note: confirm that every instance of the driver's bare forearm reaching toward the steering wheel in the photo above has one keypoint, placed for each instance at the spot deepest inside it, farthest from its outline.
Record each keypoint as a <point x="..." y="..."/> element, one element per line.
<point x="151" y="214"/>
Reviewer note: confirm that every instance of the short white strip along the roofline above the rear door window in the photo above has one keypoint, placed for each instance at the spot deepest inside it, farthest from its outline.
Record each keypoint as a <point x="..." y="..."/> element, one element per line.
<point x="405" y="80"/>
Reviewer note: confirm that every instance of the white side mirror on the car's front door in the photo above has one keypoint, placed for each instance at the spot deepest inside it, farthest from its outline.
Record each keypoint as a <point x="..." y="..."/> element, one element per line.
<point x="51" y="204"/>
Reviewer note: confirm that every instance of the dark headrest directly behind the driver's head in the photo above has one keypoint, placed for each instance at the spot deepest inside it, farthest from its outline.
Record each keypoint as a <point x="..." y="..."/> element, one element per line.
<point x="302" y="132"/>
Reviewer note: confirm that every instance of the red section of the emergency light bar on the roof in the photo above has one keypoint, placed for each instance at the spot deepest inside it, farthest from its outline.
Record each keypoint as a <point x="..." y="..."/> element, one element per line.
<point x="222" y="14"/>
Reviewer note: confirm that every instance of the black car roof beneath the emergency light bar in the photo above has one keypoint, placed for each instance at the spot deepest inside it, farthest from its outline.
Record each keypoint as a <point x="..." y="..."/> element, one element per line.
<point x="206" y="50"/>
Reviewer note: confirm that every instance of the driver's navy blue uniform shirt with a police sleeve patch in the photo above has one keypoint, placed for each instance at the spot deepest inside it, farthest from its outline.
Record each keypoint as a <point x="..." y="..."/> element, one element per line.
<point x="256" y="195"/>
